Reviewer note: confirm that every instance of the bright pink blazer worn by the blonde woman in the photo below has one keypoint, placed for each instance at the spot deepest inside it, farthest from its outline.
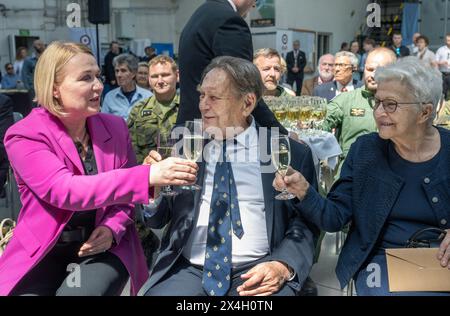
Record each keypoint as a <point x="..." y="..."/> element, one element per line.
<point x="52" y="187"/>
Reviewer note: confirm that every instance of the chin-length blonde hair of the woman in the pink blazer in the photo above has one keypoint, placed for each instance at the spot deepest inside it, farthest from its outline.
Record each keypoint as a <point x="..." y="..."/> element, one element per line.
<point x="49" y="72"/>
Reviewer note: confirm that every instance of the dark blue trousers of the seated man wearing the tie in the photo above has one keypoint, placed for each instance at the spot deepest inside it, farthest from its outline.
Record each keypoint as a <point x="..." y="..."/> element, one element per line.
<point x="183" y="279"/>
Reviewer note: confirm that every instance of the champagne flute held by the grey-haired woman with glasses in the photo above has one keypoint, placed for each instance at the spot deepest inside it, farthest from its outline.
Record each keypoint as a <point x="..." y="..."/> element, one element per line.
<point x="281" y="158"/>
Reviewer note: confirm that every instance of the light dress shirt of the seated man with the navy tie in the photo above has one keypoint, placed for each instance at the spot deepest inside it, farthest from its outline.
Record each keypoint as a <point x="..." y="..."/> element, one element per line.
<point x="244" y="158"/>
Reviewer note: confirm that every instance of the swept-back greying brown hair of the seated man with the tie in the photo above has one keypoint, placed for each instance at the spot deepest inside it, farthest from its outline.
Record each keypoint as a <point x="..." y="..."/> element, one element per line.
<point x="244" y="75"/>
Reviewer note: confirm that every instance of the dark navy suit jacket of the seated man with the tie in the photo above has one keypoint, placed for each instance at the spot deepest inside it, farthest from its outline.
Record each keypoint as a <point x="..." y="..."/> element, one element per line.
<point x="291" y="238"/>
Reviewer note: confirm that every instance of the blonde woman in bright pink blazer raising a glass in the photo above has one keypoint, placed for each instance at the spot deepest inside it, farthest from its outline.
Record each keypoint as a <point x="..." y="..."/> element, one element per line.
<point x="77" y="179"/>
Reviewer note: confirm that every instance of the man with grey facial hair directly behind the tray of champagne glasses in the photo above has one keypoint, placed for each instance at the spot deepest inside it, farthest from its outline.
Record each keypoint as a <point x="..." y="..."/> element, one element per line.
<point x="271" y="66"/>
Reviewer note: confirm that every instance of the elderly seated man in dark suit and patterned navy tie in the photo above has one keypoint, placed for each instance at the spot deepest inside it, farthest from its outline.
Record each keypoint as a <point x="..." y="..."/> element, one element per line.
<point x="234" y="237"/>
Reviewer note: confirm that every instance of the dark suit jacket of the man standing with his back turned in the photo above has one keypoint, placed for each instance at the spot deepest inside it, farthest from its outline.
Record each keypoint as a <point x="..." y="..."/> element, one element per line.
<point x="214" y="29"/>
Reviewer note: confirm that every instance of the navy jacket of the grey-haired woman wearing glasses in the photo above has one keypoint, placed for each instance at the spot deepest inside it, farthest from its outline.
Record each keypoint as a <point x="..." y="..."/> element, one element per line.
<point x="365" y="195"/>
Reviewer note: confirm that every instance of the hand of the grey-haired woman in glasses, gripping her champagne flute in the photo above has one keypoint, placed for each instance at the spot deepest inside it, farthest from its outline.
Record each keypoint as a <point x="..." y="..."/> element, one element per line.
<point x="293" y="182"/>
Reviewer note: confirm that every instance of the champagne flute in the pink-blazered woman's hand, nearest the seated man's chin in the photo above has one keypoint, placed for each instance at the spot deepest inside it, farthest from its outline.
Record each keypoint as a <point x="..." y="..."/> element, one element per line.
<point x="193" y="146"/>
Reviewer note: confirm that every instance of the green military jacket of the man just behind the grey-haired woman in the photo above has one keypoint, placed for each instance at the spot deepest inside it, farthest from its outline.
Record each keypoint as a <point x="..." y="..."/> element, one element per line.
<point x="351" y="114"/>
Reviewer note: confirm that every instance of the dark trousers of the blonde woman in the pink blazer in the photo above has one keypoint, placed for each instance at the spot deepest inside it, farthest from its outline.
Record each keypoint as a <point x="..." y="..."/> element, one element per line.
<point x="99" y="275"/>
